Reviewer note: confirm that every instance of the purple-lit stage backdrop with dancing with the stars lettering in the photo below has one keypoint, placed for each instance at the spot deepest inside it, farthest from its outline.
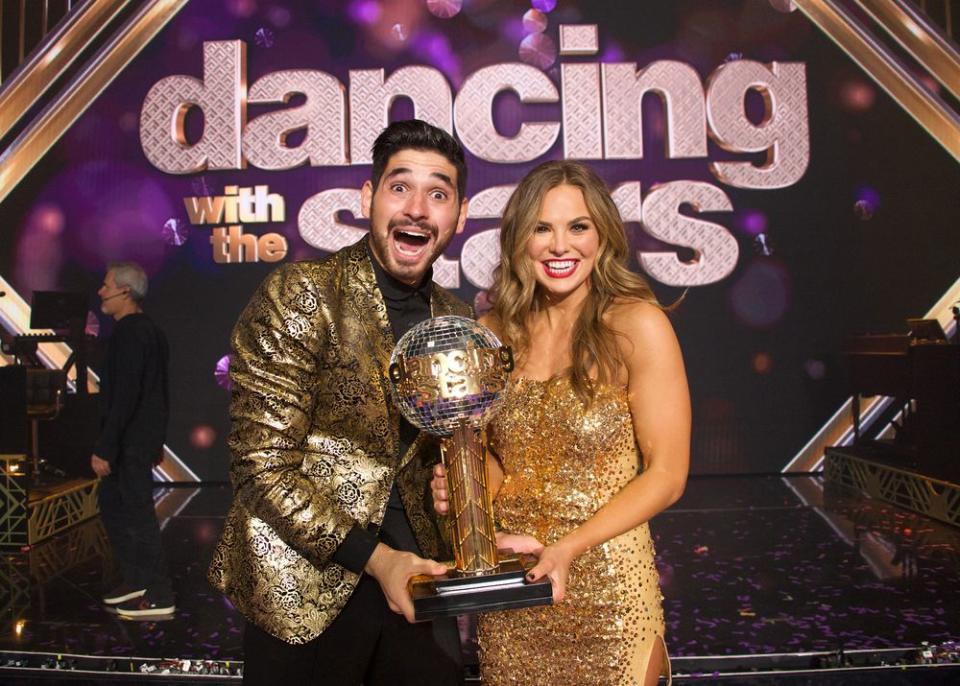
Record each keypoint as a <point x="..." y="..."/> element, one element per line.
<point x="758" y="170"/>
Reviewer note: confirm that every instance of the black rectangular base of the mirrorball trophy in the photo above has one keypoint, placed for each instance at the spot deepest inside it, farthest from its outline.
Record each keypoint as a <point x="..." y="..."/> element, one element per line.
<point x="505" y="588"/>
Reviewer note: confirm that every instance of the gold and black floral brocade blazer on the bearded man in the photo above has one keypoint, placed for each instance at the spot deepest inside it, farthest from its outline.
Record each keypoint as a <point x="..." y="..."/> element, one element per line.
<point x="314" y="442"/>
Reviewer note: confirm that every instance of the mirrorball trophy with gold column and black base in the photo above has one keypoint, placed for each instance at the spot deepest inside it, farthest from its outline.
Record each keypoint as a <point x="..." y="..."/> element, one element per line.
<point x="449" y="377"/>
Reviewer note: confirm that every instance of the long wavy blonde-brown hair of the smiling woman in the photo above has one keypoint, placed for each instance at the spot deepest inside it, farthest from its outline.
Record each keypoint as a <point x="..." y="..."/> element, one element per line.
<point x="515" y="293"/>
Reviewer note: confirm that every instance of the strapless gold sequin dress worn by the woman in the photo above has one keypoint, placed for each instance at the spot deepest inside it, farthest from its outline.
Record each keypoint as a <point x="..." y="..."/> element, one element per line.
<point x="562" y="464"/>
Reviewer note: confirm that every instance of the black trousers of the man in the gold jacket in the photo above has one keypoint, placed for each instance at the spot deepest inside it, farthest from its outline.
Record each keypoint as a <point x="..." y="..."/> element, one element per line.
<point x="366" y="644"/>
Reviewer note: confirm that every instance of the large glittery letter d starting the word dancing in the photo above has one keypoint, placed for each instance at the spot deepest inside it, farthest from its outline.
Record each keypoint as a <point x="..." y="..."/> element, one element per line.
<point x="221" y="95"/>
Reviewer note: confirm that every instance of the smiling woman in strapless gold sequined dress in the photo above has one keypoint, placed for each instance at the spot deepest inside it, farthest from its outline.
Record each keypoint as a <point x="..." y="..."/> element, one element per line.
<point x="592" y="440"/>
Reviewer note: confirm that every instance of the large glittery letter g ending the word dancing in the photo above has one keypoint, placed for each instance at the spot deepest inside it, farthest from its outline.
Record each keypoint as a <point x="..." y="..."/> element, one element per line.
<point x="784" y="132"/>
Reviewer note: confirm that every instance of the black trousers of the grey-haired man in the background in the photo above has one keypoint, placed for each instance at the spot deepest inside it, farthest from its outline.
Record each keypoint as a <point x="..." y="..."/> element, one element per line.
<point x="128" y="514"/>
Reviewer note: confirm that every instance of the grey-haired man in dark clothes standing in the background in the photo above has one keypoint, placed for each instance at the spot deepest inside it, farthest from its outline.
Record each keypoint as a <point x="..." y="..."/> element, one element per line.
<point x="135" y="405"/>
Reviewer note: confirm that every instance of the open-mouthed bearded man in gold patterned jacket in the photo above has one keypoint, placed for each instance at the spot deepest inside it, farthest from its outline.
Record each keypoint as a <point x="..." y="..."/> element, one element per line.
<point x="331" y="513"/>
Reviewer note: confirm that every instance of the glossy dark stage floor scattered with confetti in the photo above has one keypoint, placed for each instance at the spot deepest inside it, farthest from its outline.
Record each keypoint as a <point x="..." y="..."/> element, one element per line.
<point x="748" y="564"/>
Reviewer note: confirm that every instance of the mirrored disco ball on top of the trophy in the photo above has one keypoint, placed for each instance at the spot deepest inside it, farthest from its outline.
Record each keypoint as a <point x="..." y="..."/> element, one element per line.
<point x="447" y="371"/>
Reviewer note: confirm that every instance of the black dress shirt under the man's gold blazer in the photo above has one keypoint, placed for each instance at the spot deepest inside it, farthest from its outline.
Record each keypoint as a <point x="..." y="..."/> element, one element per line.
<point x="407" y="306"/>
